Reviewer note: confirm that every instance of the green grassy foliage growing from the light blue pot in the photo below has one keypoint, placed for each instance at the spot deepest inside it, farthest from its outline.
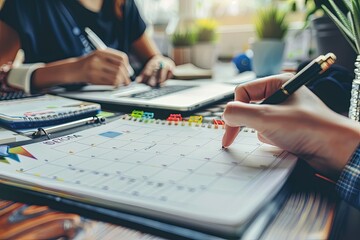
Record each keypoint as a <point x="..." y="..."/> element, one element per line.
<point x="271" y="23"/>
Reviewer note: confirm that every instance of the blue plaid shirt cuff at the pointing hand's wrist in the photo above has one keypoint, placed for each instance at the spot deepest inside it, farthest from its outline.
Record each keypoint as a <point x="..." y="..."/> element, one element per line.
<point x="348" y="184"/>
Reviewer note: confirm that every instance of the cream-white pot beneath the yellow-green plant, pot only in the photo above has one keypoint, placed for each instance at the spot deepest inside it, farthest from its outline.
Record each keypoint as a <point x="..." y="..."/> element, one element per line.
<point x="204" y="55"/>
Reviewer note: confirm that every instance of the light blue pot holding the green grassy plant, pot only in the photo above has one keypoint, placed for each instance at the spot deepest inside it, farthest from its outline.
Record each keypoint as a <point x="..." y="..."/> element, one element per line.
<point x="268" y="57"/>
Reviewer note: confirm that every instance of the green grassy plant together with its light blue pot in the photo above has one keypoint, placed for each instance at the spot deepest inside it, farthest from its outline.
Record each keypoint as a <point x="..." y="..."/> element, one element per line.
<point x="268" y="49"/>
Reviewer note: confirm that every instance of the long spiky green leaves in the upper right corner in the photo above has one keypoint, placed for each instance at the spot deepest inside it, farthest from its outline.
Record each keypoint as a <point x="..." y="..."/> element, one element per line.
<point x="349" y="24"/>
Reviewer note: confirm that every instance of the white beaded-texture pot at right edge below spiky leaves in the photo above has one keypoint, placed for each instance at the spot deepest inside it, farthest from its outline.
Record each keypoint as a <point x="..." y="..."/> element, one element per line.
<point x="354" y="110"/>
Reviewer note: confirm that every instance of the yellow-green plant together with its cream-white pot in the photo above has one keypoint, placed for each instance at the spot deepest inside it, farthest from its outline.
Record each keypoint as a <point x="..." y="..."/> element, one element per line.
<point x="204" y="52"/>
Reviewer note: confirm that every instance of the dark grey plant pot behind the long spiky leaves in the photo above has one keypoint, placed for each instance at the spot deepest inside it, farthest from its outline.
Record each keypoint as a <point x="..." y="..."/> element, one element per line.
<point x="330" y="39"/>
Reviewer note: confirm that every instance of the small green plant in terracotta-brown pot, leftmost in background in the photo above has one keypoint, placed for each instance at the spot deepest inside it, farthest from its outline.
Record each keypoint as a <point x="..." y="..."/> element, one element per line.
<point x="182" y="41"/>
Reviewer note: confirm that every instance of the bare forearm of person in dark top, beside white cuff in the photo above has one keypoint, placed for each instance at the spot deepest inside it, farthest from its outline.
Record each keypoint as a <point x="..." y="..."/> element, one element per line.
<point x="56" y="73"/>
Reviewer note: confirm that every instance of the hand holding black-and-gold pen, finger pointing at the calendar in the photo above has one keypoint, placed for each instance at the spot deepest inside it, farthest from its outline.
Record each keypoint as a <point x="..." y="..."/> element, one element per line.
<point x="302" y="124"/>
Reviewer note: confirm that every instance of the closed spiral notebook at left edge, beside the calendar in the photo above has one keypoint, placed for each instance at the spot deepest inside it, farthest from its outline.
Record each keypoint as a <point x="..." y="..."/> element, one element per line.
<point x="44" y="110"/>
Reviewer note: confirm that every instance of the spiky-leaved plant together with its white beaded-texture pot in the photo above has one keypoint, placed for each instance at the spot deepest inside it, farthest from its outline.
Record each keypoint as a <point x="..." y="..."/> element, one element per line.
<point x="349" y="25"/>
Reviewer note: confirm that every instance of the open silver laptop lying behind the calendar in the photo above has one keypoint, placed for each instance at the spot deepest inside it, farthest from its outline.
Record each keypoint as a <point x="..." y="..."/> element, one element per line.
<point x="175" y="95"/>
